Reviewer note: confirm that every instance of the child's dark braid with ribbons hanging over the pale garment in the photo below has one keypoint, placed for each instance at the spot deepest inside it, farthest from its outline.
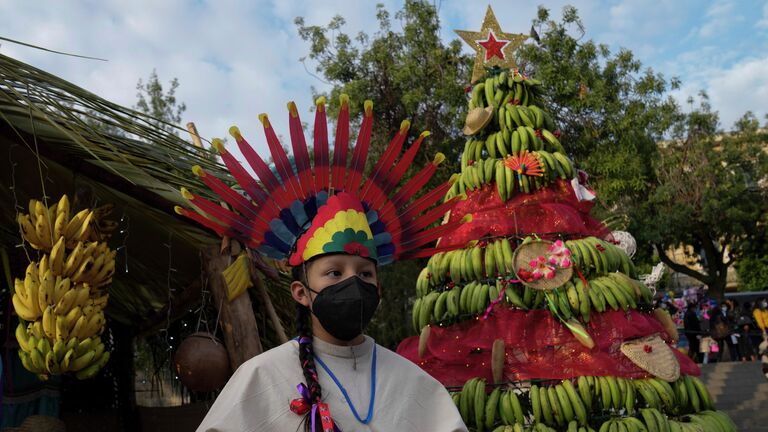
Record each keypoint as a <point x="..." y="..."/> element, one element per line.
<point x="306" y="352"/>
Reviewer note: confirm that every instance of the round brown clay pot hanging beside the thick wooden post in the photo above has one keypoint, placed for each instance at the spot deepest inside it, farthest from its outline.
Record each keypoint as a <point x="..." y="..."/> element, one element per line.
<point x="202" y="363"/>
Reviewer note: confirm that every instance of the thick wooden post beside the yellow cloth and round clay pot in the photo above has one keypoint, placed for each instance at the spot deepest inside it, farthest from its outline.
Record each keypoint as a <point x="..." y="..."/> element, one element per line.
<point x="236" y="318"/>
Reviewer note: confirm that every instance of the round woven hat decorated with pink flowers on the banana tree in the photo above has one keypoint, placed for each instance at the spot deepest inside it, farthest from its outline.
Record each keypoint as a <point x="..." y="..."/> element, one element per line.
<point x="536" y="251"/>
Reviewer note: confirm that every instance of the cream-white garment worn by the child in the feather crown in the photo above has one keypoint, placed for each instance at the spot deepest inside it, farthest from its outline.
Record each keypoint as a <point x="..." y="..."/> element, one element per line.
<point x="258" y="395"/>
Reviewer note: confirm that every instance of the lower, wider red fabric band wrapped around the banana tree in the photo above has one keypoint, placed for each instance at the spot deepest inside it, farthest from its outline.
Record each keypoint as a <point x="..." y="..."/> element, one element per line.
<point x="537" y="347"/>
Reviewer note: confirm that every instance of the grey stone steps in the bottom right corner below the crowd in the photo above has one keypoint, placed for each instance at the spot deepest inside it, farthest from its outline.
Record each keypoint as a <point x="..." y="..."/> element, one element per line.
<point x="741" y="390"/>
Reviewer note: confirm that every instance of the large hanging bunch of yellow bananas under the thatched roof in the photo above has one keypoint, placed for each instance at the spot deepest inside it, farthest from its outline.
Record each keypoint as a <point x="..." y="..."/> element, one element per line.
<point x="61" y="297"/>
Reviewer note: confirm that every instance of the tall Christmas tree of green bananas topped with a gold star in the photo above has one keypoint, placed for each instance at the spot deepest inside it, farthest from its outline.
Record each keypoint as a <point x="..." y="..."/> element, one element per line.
<point x="539" y="322"/>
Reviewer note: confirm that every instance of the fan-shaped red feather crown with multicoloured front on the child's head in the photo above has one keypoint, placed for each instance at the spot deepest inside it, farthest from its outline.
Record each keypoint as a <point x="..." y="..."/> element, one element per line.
<point x="305" y="210"/>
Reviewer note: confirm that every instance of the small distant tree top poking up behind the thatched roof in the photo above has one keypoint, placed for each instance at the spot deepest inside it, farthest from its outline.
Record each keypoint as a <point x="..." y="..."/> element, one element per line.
<point x="160" y="105"/>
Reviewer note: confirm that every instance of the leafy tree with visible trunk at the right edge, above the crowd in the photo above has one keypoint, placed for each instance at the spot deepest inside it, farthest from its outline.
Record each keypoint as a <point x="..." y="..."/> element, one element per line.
<point x="710" y="193"/>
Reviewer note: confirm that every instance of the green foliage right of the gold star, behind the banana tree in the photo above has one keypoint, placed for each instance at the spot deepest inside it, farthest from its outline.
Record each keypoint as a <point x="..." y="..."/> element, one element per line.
<point x="610" y="109"/>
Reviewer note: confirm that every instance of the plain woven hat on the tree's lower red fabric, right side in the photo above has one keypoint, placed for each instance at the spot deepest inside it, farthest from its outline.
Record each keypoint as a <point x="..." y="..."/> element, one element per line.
<point x="653" y="355"/>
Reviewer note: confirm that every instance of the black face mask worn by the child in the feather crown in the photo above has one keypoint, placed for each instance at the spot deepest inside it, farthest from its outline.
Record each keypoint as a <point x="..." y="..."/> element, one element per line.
<point x="345" y="308"/>
